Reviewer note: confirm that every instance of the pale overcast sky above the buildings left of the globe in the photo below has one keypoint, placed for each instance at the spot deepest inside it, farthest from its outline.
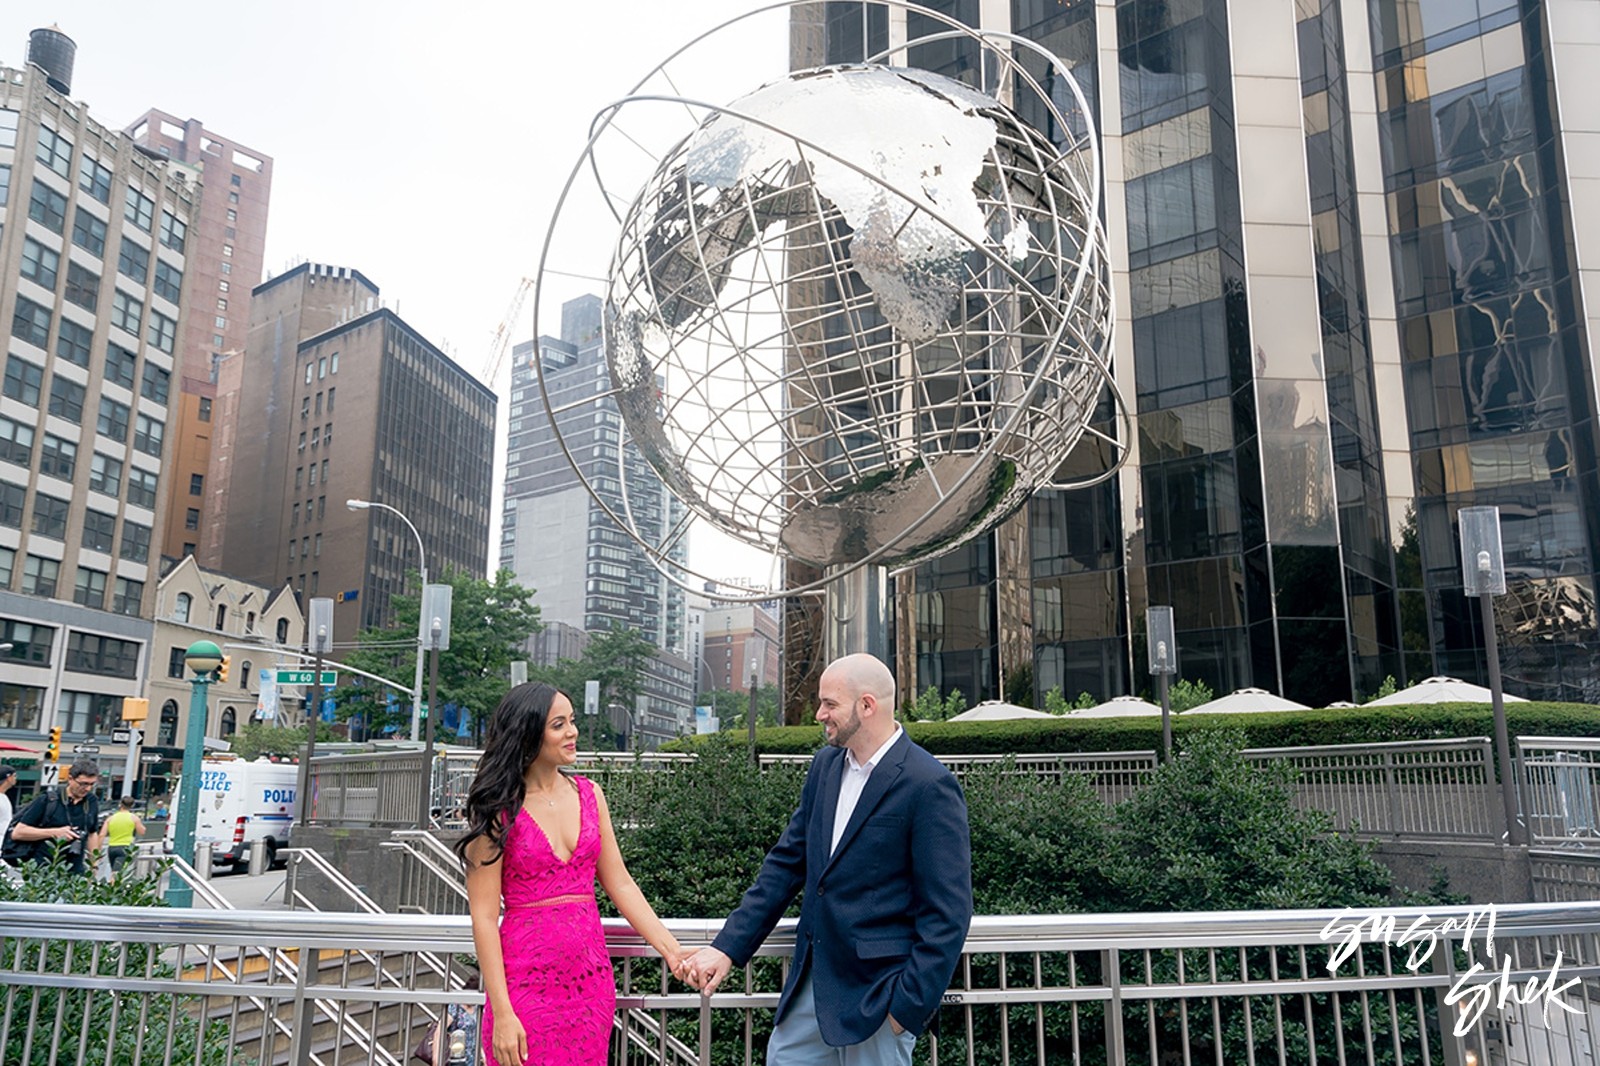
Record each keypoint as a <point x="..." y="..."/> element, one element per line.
<point x="418" y="142"/>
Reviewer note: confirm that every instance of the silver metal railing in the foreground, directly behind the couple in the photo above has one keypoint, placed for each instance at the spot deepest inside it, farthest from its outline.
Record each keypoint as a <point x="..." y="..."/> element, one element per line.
<point x="1260" y="987"/>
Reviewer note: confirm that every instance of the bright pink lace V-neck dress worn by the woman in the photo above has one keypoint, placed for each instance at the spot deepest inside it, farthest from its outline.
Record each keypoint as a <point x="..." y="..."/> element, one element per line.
<point x="558" y="966"/>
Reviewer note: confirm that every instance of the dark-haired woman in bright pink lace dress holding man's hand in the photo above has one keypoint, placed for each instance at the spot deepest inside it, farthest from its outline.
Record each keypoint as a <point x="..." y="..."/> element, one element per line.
<point x="537" y="840"/>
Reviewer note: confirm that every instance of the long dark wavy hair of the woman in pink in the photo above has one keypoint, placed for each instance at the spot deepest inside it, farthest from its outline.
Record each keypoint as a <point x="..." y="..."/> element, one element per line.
<point x="513" y="742"/>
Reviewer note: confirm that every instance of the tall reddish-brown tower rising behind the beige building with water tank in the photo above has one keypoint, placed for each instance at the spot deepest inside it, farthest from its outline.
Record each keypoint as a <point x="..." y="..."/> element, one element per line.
<point x="226" y="247"/>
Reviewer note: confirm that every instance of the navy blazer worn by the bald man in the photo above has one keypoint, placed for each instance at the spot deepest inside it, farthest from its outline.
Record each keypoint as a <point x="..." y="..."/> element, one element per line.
<point x="884" y="920"/>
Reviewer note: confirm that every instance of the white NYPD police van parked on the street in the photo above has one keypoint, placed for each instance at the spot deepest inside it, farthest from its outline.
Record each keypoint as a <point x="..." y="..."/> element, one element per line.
<point x="241" y="803"/>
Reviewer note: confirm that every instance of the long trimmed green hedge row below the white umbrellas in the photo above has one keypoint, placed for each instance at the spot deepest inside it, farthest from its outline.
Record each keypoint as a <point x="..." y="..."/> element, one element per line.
<point x="1287" y="729"/>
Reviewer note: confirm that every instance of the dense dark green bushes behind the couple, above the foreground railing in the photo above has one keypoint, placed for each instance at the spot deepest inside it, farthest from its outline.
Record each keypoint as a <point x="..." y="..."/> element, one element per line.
<point x="1209" y="832"/>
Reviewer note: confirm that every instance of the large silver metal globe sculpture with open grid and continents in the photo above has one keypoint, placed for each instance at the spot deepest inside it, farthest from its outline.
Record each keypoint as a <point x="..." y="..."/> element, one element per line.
<point x="863" y="313"/>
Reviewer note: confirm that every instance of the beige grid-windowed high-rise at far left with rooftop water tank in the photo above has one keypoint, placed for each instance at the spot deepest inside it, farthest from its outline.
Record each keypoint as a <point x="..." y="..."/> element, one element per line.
<point x="94" y="295"/>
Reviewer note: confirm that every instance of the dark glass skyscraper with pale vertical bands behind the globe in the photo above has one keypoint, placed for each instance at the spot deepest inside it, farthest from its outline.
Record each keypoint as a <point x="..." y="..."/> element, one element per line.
<point x="1350" y="249"/>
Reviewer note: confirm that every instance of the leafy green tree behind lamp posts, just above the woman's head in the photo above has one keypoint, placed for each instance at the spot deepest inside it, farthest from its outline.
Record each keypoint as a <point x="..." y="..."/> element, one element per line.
<point x="490" y="623"/>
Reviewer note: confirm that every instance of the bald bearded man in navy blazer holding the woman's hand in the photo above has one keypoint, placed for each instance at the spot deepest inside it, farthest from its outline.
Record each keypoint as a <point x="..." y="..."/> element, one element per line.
<point x="881" y="848"/>
